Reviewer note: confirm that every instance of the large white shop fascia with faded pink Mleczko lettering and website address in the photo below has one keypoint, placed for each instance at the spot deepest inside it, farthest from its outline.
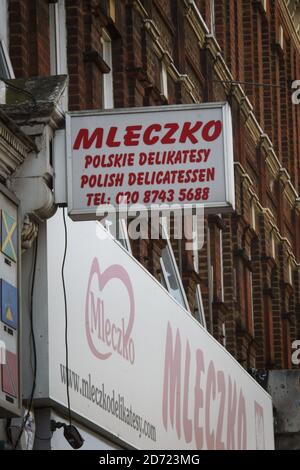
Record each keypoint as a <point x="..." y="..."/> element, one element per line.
<point x="141" y="368"/>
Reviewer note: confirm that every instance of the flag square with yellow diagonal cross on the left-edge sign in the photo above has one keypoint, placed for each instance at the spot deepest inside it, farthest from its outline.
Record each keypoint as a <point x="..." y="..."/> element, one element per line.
<point x="9" y="238"/>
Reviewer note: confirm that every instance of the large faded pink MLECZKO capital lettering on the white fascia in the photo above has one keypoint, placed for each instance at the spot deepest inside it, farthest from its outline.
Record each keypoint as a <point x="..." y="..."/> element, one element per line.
<point x="209" y="392"/>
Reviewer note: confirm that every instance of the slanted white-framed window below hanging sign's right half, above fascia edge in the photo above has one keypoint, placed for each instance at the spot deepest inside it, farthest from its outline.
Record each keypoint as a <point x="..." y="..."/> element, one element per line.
<point x="171" y="278"/>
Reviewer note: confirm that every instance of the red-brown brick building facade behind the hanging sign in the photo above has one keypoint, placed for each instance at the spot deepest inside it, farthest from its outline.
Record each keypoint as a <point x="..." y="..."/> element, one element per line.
<point x="260" y="304"/>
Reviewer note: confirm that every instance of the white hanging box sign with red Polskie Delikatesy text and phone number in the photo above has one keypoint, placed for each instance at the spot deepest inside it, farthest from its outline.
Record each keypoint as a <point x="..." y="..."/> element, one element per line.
<point x="150" y="156"/>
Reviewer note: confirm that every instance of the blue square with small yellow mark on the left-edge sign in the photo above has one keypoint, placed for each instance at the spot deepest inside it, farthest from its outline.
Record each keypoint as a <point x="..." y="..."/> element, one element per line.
<point x="9" y="304"/>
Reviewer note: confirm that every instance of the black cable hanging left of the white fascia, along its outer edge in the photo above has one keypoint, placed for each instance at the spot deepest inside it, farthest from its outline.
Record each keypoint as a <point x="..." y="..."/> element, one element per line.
<point x="34" y="347"/>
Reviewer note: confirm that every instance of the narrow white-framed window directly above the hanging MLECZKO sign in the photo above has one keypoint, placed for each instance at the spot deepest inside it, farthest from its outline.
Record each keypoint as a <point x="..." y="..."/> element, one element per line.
<point x="107" y="84"/>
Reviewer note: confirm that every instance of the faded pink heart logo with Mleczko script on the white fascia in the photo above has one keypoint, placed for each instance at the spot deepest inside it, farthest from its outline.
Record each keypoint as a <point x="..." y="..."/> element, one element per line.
<point x="109" y="313"/>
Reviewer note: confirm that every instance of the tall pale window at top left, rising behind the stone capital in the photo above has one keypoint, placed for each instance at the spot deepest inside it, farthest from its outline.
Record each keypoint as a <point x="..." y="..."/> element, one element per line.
<point x="58" y="43"/>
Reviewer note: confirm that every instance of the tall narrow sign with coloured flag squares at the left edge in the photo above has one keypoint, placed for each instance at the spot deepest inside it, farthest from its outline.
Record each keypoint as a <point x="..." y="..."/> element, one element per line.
<point x="10" y="369"/>
